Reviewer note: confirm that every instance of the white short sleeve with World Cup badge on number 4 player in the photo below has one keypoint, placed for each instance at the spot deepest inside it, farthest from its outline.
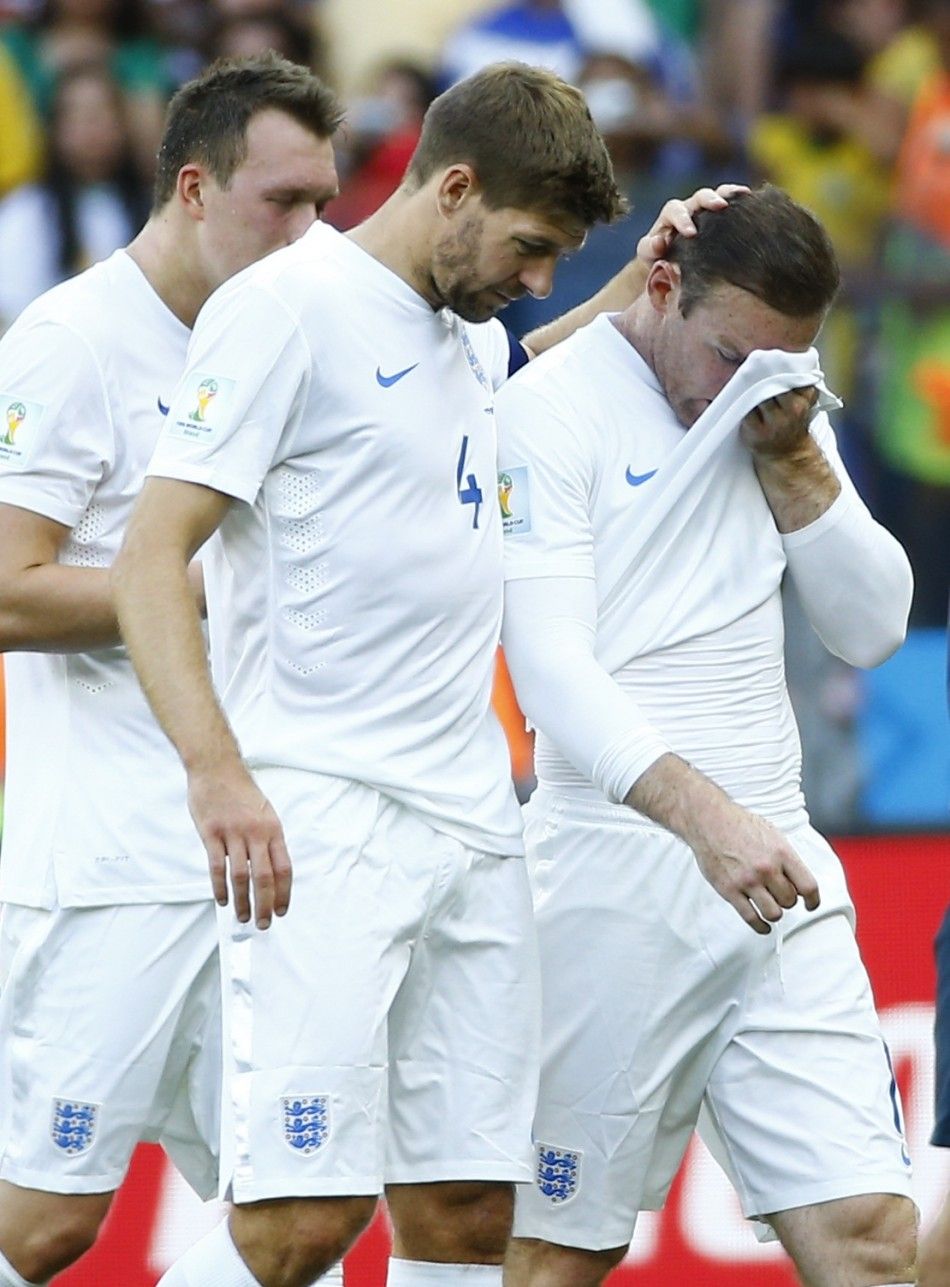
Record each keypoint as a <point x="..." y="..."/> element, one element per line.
<point x="240" y="400"/>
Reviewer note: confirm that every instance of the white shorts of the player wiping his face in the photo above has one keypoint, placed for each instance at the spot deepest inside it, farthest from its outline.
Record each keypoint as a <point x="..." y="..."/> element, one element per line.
<point x="658" y="1001"/>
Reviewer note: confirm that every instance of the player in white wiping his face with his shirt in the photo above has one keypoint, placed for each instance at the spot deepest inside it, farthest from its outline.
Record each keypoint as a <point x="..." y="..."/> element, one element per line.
<point x="660" y="482"/>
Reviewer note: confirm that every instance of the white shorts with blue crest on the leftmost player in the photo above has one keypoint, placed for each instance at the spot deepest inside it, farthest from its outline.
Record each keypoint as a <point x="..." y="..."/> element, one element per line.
<point x="110" y="1034"/>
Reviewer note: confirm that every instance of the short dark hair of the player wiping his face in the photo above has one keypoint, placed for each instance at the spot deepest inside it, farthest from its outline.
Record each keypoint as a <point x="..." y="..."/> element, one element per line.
<point x="765" y="244"/>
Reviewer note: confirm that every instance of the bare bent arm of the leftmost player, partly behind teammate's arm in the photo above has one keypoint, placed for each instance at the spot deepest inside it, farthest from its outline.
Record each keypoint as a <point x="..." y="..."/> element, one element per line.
<point x="47" y="607"/>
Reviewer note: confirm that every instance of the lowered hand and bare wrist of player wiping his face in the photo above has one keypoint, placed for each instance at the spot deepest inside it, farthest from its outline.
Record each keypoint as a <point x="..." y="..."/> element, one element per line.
<point x="746" y="859"/>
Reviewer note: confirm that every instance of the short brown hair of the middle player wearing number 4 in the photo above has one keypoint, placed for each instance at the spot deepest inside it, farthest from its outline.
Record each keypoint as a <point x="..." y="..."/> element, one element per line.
<point x="530" y="138"/>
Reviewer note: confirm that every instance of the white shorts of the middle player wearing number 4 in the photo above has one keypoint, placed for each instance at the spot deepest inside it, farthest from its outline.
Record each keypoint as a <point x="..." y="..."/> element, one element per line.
<point x="387" y="1029"/>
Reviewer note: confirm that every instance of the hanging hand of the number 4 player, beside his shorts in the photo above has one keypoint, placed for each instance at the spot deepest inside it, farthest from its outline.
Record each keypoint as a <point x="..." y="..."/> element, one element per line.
<point x="244" y="841"/>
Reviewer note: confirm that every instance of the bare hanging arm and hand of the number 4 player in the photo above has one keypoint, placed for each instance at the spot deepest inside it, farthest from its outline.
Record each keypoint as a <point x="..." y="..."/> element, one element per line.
<point x="162" y="629"/>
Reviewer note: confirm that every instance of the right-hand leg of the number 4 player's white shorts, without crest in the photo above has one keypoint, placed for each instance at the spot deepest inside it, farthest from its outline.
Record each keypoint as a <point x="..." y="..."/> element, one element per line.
<point x="464" y="1029"/>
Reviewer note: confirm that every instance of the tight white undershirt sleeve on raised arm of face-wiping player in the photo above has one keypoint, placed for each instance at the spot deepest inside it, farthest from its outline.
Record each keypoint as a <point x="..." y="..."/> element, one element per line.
<point x="852" y="575"/>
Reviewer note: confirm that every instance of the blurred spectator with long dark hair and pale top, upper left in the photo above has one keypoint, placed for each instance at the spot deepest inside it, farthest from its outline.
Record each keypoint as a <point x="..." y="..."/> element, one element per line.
<point x="91" y="203"/>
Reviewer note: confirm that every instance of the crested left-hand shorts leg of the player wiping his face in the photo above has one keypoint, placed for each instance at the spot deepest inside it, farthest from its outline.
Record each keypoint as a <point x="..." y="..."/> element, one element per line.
<point x="640" y="976"/>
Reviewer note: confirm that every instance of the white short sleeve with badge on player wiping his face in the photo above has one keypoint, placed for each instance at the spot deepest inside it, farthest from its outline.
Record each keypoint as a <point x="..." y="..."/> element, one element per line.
<point x="545" y="485"/>
